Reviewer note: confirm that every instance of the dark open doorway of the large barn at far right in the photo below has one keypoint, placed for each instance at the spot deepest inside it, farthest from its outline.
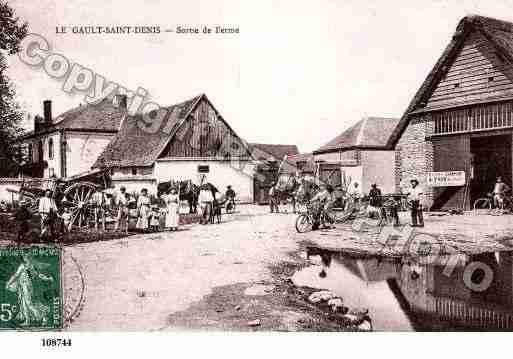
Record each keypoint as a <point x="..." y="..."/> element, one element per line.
<point x="491" y="158"/>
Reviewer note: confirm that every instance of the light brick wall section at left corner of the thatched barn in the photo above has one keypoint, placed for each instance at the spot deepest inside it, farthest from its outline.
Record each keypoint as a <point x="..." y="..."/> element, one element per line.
<point x="415" y="156"/>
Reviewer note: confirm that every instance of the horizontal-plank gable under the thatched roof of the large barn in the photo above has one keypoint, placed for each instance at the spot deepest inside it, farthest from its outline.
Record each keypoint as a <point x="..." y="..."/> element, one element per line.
<point x="467" y="79"/>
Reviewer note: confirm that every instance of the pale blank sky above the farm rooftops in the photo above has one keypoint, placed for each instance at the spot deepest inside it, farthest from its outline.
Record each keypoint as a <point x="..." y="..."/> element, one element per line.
<point x="299" y="72"/>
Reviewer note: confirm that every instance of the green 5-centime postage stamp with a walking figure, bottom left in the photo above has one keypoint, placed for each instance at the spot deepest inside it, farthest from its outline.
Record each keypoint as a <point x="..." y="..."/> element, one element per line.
<point x="30" y="288"/>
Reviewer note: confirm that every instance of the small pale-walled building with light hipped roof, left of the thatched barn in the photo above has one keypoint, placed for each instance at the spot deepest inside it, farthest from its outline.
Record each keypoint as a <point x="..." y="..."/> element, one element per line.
<point x="362" y="154"/>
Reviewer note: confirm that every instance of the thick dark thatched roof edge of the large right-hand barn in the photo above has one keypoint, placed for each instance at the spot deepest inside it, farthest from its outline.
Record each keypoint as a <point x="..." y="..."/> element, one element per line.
<point x="499" y="33"/>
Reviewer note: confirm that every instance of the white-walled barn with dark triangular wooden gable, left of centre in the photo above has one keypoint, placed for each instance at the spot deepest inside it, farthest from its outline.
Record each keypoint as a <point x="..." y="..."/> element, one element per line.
<point x="195" y="142"/>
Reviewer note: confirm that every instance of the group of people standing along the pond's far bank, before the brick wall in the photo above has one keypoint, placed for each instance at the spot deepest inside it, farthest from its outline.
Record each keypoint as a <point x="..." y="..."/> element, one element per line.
<point x="325" y="199"/>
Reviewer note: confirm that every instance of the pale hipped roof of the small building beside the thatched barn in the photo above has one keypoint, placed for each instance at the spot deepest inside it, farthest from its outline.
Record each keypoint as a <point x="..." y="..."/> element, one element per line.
<point x="370" y="132"/>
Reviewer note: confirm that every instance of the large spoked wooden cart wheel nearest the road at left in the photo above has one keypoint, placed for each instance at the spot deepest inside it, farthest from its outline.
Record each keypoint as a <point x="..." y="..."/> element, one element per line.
<point x="77" y="197"/>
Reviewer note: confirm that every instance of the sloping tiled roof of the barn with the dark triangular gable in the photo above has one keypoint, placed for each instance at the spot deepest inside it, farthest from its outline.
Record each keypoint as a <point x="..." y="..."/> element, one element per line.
<point x="133" y="146"/>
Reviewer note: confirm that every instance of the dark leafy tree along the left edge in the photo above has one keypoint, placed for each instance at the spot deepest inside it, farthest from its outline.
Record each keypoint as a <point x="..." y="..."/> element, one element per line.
<point x="12" y="31"/>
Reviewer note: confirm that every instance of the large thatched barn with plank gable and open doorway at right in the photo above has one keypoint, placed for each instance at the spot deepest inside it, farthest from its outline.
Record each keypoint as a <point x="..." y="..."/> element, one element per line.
<point x="461" y="118"/>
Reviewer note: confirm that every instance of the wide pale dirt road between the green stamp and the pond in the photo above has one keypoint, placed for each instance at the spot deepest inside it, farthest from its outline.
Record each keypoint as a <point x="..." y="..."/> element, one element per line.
<point x="137" y="283"/>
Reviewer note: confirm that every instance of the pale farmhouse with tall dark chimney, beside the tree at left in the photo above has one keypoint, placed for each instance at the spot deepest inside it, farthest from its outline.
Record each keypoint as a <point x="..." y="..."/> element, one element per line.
<point x="70" y="143"/>
